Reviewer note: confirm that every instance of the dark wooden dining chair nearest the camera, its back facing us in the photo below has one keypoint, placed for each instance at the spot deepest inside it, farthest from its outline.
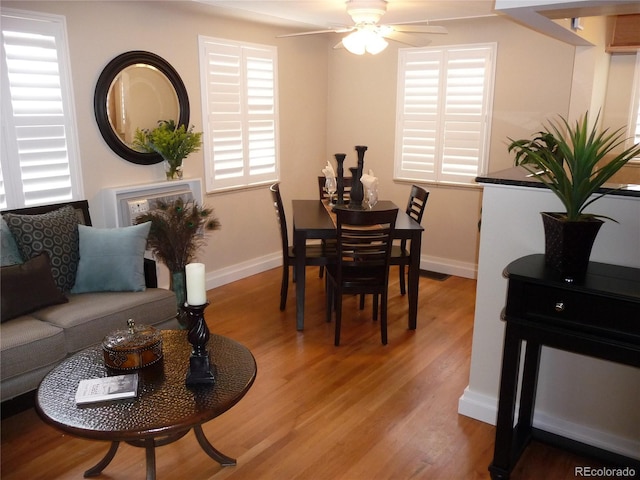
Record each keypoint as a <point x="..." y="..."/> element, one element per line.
<point x="364" y="240"/>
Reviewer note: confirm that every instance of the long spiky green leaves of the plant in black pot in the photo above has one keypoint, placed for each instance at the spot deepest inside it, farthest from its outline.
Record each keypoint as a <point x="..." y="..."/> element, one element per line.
<point x="572" y="161"/>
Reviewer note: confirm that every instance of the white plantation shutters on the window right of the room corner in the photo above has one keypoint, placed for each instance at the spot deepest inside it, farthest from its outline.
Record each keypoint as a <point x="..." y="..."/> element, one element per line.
<point x="443" y="112"/>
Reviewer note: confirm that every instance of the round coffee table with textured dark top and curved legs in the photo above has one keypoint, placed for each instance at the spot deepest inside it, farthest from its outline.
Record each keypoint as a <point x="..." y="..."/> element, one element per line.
<point x="165" y="408"/>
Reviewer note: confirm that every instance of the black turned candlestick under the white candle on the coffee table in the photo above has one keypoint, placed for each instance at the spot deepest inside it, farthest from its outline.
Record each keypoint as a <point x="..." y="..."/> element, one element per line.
<point x="200" y="371"/>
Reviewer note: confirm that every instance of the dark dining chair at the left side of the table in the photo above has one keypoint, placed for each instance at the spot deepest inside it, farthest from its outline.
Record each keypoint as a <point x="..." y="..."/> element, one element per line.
<point x="316" y="254"/>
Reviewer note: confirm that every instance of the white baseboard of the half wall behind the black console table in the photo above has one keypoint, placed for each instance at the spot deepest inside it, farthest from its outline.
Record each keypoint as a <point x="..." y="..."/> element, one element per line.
<point x="484" y="408"/>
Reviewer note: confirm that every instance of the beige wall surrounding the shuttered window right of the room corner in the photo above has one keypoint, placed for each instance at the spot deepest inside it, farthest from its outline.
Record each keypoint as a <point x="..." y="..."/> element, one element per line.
<point x="362" y="99"/>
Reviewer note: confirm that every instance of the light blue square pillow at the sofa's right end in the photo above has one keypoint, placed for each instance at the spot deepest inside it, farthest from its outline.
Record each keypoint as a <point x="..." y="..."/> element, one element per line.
<point x="111" y="259"/>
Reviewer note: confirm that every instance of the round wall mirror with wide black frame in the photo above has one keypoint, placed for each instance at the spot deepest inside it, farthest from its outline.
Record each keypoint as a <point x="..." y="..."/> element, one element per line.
<point x="135" y="90"/>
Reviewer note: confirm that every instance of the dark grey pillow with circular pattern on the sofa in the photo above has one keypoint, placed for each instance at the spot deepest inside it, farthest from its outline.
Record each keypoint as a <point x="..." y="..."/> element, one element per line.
<point x="54" y="232"/>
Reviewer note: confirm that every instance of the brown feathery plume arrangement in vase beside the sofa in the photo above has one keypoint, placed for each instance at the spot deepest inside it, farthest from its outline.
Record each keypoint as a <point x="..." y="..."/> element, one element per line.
<point x="176" y="234"/>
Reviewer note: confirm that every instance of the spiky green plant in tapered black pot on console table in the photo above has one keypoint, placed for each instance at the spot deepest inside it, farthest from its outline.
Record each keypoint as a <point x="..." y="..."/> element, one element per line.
<point x="574" y="161"/>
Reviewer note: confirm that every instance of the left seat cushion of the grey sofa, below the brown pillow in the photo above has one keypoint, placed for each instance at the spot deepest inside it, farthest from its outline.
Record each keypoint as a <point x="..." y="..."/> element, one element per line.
<point x="27" y="344"/>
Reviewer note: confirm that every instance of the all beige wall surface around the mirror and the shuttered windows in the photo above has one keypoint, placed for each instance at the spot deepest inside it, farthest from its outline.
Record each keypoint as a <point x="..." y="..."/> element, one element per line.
<point x="330" y="101"/>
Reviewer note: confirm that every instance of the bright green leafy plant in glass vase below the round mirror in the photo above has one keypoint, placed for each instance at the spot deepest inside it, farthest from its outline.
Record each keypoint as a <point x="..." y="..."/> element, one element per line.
<point x="173" y="143"/>
